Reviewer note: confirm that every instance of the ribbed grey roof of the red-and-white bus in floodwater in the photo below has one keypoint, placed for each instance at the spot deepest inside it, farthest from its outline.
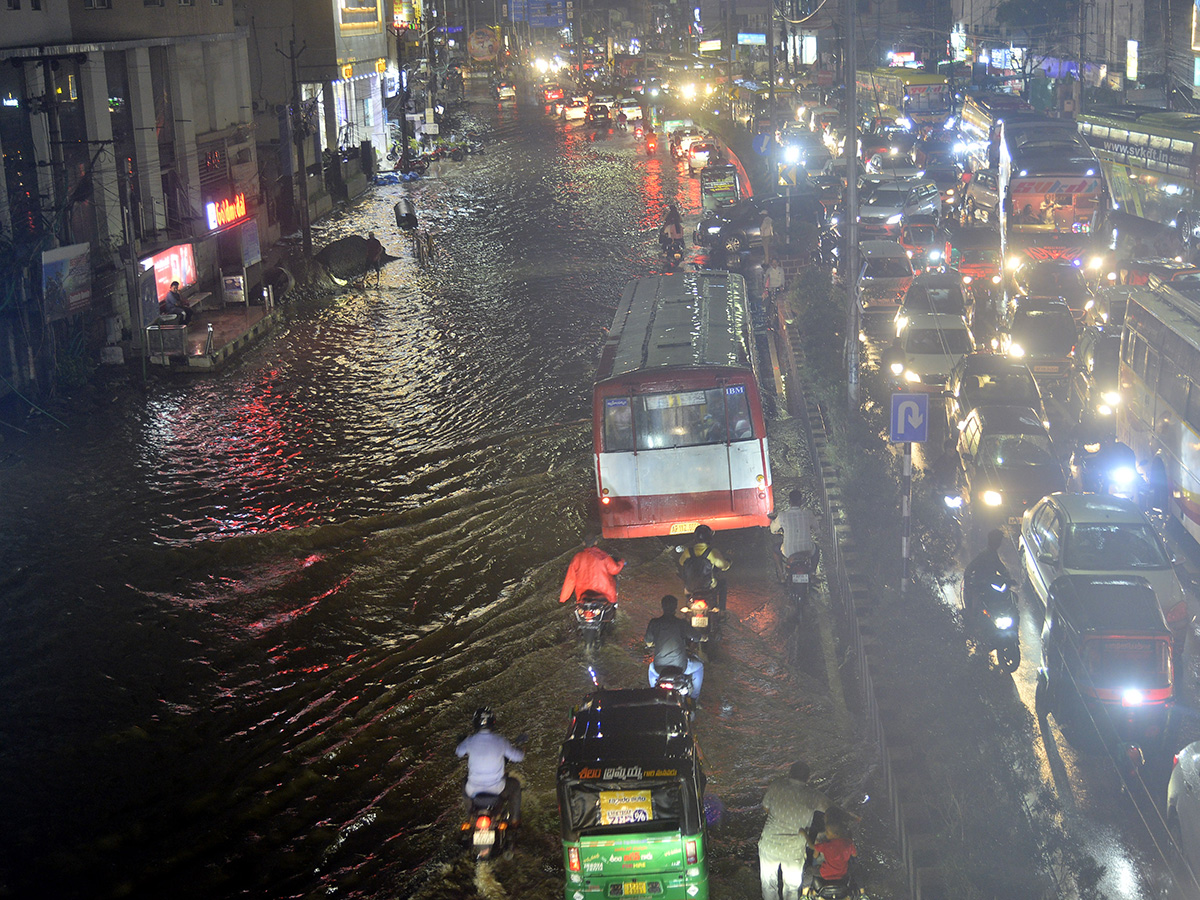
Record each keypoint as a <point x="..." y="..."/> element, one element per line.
<point x="683" y="320"/>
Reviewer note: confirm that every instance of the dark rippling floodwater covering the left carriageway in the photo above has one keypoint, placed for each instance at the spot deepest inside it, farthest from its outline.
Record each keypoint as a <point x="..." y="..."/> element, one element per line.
<point x="244" y="619"/>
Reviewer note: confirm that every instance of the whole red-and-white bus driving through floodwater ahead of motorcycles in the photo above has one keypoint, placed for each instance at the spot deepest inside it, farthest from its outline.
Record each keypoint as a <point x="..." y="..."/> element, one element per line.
<point x="679" y="430"/>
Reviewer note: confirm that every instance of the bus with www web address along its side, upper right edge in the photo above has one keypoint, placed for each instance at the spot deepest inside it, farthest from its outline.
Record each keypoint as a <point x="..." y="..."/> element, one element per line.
<point x="1151" y="160"/>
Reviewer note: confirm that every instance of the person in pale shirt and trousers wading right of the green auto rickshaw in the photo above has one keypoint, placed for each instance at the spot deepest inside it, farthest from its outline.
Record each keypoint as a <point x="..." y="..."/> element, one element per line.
<point x="791" y="806"/>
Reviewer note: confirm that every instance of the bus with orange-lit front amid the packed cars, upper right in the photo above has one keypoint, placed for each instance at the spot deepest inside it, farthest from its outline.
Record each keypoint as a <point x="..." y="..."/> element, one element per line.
<point x="1053" y="196"/>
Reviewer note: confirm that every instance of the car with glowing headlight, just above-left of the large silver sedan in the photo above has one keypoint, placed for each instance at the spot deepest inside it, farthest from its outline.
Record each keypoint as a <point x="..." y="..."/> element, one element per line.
<point x="1010" y="463"/>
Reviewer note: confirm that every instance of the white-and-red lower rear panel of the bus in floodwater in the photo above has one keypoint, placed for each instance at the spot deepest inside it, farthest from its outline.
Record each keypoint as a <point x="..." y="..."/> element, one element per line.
<point x="650" y="493"/>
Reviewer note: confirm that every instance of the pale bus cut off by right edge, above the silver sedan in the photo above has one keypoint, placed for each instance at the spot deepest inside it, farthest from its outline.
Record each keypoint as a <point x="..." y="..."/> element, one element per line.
<point x="1159" y="412"/>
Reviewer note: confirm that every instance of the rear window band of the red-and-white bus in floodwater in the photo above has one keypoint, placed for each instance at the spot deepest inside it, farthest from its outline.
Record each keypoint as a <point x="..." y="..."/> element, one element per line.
<point x="658" y="422"/>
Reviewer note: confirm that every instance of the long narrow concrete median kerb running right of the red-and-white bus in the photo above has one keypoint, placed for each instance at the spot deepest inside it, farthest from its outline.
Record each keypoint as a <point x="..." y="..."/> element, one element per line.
<point x="903" y="769"/>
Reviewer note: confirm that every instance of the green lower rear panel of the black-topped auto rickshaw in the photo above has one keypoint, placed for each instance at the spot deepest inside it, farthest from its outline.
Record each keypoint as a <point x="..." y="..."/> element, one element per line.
<point x="657" y="861"/>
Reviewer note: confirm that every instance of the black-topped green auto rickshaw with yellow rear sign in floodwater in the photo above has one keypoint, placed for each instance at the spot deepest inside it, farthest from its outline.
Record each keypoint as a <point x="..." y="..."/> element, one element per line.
<point x="632" y="799"/>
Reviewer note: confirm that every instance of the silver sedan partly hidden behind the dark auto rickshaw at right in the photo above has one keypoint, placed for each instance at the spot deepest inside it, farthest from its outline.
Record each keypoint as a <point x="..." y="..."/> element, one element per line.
<point x="1099" y="535"/>
